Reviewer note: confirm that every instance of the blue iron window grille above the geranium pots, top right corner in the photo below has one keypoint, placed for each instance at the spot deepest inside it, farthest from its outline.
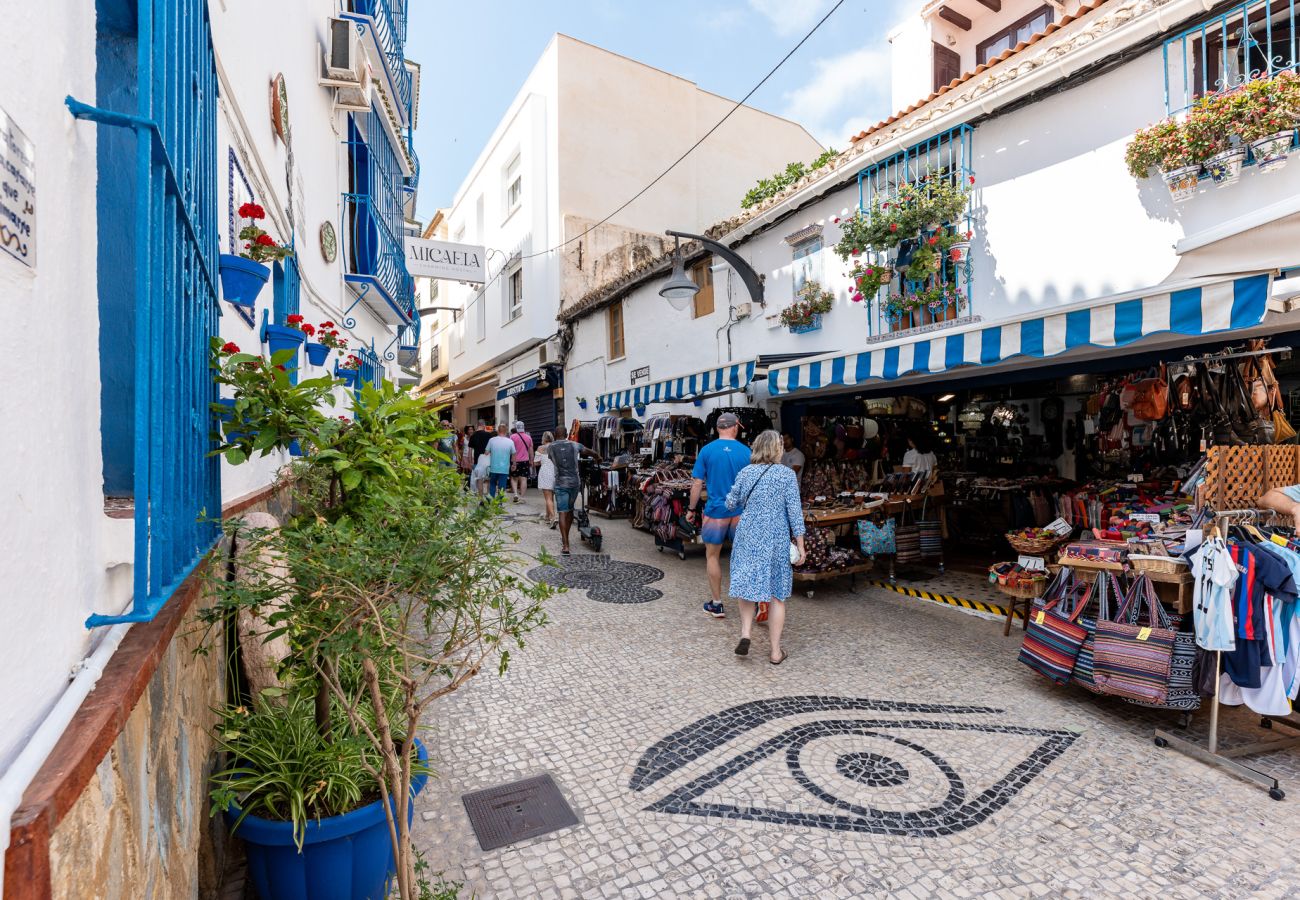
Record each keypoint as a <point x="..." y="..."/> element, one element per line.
<point x="1256" y="40"/>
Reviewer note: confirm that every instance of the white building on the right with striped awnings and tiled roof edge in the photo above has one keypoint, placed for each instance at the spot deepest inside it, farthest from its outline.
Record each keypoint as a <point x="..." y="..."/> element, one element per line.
<point x="1064" y="237"/>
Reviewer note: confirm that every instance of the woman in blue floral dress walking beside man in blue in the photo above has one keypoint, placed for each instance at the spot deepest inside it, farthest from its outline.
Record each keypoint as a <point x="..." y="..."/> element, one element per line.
<point x="769" y="494"/>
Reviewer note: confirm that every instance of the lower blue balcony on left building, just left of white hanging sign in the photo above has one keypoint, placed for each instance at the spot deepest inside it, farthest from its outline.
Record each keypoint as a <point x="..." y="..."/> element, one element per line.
<point x="374" y="213"/>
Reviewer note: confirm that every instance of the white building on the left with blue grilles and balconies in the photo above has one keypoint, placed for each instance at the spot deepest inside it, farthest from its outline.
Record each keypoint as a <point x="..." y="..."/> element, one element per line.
<point x="177" y="115"/>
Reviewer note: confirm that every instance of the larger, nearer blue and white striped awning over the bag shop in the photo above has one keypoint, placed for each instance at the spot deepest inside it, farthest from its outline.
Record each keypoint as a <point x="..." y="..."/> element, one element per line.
<point x="1204" y="306"/>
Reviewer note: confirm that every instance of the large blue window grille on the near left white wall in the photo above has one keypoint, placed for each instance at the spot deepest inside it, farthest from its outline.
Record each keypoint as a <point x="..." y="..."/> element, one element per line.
<point x="157" y="85"/>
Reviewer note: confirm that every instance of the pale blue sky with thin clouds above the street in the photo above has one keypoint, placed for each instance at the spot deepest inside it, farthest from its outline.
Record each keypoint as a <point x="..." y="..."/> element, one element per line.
<point x="476" y="55"/>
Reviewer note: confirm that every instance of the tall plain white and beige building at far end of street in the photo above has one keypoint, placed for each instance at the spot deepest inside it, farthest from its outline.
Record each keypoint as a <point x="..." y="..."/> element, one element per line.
<point x="586" y="132"/>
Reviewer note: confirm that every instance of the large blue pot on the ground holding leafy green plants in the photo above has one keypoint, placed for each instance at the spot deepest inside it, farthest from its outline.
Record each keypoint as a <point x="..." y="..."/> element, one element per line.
<point x="344" y="858"/>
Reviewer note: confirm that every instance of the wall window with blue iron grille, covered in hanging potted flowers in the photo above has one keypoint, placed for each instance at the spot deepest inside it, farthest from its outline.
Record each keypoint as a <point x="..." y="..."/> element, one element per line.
<point x="943" y="158"/>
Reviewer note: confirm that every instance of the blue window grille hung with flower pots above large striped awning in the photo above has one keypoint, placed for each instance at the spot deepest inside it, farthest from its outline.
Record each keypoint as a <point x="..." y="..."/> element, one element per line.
<point x="944" y="155"/>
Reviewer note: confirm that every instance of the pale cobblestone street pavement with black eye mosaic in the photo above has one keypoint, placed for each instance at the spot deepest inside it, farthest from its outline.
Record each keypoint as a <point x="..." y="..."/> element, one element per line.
<point x="900" y="751"/>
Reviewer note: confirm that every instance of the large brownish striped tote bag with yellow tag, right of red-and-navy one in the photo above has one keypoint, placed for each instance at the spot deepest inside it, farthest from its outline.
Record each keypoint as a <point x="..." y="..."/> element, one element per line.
<point x="1133" y="661"/>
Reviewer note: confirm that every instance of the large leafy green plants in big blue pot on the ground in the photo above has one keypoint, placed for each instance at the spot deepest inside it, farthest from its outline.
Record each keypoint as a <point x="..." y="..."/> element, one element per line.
<point x="385" y="591"/>
